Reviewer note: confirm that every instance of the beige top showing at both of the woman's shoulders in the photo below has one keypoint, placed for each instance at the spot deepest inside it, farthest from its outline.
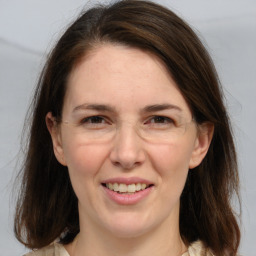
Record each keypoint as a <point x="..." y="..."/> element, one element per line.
<point x="56" y="249"/>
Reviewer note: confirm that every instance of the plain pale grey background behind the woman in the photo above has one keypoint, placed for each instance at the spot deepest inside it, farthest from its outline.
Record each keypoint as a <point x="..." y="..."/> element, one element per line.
<point x="28" y="29"/>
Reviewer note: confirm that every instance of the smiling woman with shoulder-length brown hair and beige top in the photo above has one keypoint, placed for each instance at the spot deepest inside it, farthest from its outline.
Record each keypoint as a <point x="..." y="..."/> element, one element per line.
<point x="130" y="149"/>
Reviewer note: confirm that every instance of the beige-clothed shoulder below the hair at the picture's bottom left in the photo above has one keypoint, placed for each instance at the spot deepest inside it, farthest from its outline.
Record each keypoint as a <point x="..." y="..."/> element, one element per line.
<point x="54" y="249"/>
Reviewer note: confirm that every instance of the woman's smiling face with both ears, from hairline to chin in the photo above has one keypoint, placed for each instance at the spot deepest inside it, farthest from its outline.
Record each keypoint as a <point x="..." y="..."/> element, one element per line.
<point x="128" y="141"/>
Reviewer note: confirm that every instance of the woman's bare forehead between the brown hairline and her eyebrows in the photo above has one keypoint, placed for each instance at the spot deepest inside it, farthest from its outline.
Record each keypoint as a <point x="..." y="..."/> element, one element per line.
<point x="120" y="75"/>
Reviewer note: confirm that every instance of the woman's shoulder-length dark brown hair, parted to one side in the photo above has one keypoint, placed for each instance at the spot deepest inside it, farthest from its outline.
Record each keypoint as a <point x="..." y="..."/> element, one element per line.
<point x="47" y="206"/>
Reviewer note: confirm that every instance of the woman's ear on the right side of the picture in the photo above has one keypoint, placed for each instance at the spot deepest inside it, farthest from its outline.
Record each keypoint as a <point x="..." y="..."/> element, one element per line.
<point x="202" y="144"/>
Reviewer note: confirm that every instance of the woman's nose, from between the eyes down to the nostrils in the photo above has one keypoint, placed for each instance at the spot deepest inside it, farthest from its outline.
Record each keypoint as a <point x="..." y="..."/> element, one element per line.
<point x="127" y="151"/>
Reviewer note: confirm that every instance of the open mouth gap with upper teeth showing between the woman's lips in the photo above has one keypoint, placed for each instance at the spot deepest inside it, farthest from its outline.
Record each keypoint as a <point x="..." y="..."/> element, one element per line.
<point x="128" y="189"/>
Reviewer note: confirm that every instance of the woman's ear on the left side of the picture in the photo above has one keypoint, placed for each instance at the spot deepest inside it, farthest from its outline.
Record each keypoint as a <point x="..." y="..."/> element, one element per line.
<point x="55" y="133"/>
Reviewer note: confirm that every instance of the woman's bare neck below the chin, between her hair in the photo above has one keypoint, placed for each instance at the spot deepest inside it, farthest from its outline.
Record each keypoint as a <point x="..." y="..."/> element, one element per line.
<point x="161" y="241"/>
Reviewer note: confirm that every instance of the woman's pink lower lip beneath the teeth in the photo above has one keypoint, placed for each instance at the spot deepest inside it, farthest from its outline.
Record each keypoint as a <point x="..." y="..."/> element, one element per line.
<point x="128" y="199"/>
